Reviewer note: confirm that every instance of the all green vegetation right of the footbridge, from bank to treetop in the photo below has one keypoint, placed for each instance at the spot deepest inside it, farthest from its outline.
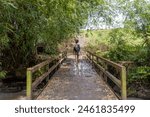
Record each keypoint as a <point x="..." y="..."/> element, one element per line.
<point x="130" y="43"/>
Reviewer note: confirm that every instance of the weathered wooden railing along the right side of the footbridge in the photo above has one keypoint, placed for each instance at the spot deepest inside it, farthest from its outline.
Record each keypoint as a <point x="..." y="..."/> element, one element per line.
<point x="121" y="83"/>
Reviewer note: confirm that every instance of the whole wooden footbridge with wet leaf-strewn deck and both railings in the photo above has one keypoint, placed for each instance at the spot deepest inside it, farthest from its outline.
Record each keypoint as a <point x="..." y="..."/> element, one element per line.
<point x="93" y="78"/>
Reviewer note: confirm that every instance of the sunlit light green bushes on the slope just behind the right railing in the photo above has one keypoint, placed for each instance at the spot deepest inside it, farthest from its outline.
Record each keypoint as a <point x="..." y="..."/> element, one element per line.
<point x="116" y="44"/>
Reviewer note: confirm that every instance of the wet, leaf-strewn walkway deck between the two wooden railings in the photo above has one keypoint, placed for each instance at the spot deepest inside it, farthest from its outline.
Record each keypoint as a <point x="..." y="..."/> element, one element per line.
<point x="76" y="82"/>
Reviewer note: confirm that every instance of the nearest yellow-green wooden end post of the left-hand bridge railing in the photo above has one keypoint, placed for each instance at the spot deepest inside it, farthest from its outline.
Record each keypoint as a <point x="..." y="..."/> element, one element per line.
<point x="29" y="84"/>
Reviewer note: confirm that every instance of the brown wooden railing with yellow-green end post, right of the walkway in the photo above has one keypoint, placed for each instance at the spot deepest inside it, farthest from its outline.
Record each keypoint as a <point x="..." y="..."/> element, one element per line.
<point x="103" y="65"/>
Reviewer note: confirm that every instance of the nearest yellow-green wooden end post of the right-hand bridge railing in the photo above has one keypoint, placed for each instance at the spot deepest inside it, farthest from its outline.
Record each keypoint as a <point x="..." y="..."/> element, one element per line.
<point x="123" y="84"/>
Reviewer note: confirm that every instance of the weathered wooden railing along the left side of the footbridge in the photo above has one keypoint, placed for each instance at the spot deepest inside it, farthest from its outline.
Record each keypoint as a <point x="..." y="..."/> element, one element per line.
<point x="30" y="84"/>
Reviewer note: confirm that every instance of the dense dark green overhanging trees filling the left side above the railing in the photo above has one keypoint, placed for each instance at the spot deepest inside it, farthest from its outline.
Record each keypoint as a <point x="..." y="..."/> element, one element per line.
<point x="26" y="23"/>
